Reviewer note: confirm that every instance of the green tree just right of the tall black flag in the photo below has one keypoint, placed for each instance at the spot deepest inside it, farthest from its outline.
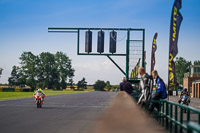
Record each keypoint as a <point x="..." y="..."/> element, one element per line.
<point x="181" y="67"/>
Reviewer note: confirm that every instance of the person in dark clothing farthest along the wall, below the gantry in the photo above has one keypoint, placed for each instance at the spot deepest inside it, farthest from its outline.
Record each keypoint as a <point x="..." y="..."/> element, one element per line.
<point x="126" y="86"/>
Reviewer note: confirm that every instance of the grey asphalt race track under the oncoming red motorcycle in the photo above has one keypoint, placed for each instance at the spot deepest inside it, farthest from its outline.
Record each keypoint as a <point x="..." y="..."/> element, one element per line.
<point x="70" y="113"/>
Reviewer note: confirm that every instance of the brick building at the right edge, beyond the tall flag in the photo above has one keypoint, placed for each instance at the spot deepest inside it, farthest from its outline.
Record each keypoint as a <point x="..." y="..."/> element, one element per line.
<point x="190" y="77"/>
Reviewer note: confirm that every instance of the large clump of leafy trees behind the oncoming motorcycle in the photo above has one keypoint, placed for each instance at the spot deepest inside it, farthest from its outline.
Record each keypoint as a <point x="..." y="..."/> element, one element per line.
<point x="45" y="70"/>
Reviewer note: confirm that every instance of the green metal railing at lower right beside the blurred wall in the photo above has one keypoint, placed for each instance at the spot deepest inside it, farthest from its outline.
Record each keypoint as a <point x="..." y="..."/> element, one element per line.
<point x="175" y="117"/>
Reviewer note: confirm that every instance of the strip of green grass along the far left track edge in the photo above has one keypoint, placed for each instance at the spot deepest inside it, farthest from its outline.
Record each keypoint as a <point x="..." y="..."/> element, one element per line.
<point x="15" y="95"/>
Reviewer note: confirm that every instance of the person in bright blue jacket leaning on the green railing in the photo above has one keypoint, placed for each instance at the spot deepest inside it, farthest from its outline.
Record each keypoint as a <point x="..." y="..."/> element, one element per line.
<point x="160" y="90"/>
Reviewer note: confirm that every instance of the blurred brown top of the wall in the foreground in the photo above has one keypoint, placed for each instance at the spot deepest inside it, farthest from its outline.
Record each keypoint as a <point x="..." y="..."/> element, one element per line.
<point x="124" y="116"/>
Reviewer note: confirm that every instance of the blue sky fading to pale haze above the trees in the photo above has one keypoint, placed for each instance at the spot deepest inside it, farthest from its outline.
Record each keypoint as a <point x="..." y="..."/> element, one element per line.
<point x="24" y="23"/>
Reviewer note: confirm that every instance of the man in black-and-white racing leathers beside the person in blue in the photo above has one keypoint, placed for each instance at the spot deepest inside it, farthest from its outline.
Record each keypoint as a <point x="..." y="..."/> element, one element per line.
<point x="145" y="87"/>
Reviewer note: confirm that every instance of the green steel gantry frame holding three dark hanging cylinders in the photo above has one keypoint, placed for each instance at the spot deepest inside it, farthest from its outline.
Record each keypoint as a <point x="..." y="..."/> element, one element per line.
<point x="128" y="30"/>
